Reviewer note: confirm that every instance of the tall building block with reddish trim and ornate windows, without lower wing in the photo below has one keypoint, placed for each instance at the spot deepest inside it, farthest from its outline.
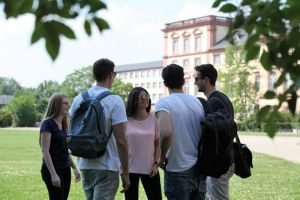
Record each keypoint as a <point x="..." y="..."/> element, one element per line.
<point x="193" y="42"/>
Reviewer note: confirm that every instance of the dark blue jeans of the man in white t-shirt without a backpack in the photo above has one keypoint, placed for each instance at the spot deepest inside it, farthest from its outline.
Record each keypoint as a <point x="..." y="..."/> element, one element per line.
<point x="184" y="185"/>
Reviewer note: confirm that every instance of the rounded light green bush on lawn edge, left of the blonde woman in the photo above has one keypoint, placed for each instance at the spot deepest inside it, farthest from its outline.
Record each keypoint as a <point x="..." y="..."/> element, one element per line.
<point x="24" y="110"/>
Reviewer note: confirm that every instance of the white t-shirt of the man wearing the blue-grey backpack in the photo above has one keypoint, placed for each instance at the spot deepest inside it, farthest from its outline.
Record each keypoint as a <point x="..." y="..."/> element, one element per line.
<point x="115" y="113"/>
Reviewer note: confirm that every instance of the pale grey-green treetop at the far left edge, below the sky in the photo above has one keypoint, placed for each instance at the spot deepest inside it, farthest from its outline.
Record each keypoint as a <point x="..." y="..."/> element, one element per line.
<point x="9" y="86"/>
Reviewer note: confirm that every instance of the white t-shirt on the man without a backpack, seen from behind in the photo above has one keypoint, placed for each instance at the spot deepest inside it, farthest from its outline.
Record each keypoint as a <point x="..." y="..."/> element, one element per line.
<point x="186" y="112"/>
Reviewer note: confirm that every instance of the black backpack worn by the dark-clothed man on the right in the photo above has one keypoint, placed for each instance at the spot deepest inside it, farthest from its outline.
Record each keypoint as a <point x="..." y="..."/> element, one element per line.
<point x="215" y="151"/>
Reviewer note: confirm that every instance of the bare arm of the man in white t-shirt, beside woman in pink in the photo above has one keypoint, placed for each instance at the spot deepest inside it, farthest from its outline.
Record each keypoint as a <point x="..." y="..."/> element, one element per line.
<point x="166" y="132"/>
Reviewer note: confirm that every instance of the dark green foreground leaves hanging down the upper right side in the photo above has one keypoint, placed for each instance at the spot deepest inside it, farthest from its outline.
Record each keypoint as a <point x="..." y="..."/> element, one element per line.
<point x="272" y="27"/>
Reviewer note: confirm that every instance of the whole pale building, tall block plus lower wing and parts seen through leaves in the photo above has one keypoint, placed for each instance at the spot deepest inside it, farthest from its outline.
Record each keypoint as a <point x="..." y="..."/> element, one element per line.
<point x="193" y="42"/>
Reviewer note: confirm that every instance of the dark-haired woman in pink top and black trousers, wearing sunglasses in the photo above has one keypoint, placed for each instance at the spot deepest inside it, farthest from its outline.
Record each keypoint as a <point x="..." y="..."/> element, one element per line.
<point x="143" y="141"/>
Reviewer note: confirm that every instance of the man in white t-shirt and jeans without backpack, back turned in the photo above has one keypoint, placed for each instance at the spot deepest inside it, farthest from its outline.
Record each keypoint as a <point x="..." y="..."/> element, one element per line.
<point x="179" y="116"/>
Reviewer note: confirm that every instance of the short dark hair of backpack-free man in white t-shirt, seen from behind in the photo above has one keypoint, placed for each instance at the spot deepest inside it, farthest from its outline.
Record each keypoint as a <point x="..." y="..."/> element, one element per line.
<point x="173" y="76"/>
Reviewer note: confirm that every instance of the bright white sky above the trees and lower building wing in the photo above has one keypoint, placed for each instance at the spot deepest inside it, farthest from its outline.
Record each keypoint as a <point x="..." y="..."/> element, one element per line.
<point x="135" y="36"/>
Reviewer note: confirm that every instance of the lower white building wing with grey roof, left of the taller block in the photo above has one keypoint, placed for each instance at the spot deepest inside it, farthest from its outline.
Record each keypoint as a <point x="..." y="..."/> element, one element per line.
<point x="146" y="75"/>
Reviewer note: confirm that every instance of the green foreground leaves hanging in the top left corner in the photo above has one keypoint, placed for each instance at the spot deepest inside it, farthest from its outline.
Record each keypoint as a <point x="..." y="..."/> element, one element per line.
<point x="51" y="17"/>
